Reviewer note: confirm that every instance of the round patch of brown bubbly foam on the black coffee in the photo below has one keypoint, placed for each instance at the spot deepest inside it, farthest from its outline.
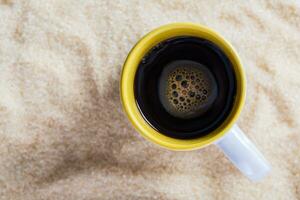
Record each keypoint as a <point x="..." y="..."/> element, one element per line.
<point x="187" y="89"/>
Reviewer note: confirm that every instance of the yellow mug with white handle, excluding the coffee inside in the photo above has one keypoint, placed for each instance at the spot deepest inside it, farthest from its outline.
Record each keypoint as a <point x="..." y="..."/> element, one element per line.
<point x="227" y="136"/>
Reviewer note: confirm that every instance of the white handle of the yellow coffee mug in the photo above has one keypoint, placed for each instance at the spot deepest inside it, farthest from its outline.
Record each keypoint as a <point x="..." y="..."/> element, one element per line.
<point x="243" y="154"/>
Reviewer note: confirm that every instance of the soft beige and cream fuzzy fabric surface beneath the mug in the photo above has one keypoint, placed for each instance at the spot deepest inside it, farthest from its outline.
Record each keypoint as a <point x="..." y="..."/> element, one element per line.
<point x="62" y="131"/>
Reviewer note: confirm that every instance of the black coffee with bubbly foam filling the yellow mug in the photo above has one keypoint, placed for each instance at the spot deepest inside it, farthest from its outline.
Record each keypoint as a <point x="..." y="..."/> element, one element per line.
<point x="185" y="87"/>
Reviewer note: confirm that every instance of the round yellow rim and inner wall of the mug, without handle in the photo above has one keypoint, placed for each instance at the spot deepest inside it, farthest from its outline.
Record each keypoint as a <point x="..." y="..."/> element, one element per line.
<point x="131" y="65"/>
